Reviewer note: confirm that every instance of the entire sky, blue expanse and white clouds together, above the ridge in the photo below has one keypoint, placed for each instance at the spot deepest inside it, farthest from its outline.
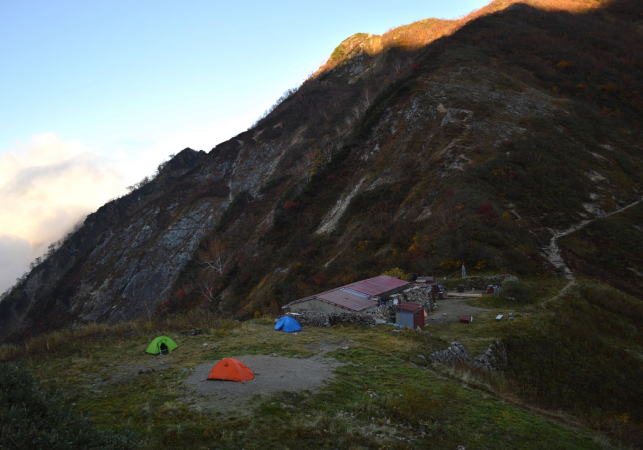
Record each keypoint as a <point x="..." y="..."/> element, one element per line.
<point x="95" y="95"/>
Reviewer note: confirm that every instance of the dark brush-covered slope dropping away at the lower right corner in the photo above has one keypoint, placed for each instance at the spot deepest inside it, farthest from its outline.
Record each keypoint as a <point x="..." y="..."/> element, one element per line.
<point x="583" y="359"/>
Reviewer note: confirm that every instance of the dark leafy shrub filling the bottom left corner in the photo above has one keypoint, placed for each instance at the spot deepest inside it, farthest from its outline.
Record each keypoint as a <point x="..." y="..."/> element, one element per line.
<point x="33" y="418"/>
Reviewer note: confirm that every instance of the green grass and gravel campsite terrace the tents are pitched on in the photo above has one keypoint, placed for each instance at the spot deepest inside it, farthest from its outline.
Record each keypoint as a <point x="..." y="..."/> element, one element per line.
<point x="348" y="387"/>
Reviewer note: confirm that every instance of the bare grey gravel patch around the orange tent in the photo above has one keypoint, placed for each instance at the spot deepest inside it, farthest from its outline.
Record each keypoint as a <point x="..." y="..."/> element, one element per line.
<point x="272" y="374"/>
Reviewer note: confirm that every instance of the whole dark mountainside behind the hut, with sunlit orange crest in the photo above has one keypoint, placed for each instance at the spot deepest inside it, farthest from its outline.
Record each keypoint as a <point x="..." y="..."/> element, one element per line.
<point x="400" y="152"/>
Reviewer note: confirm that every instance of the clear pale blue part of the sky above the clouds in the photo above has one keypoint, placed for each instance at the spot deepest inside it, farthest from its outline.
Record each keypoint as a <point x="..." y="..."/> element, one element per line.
<point x="96" y="70"/>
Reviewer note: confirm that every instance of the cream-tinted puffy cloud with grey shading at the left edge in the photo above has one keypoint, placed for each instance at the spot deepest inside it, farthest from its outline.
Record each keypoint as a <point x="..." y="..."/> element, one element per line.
<point x="47" y="185"/>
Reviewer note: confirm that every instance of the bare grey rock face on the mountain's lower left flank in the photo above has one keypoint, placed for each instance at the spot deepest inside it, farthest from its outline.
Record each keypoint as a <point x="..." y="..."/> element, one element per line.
<point x="119" y="263"/>
